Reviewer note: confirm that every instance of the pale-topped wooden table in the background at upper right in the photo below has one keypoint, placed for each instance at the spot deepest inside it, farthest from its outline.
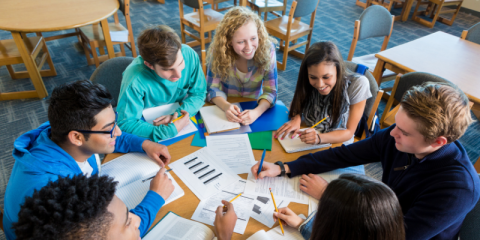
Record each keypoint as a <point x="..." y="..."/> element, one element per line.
<point x="439" y="53"/>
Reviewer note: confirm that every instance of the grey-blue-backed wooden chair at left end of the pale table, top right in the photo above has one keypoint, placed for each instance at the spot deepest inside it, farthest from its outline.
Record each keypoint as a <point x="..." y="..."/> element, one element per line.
<point x="375" y="21"/>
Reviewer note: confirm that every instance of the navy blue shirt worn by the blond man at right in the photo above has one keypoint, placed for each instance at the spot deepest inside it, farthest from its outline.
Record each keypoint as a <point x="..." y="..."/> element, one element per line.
<point x="435" y="192"/>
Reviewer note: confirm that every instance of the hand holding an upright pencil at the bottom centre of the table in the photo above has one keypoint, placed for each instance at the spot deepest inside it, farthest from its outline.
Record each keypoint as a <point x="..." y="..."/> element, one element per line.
<point x="225" y="223"/>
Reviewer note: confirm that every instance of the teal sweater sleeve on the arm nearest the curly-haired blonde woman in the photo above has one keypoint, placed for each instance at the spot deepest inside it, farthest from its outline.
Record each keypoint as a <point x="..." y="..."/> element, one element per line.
<point x="197" y="88"/>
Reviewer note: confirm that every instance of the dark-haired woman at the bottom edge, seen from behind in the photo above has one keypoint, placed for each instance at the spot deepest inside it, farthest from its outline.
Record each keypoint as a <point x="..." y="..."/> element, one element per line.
<point x="352" y="207"/>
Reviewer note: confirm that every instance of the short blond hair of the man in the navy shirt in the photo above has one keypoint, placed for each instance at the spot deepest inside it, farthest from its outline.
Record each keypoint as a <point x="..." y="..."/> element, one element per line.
<point x="440" y="109"/>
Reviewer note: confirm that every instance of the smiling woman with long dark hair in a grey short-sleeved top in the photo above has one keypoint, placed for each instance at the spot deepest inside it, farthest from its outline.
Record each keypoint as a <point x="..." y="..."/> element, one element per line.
<point x="325" y="89"/>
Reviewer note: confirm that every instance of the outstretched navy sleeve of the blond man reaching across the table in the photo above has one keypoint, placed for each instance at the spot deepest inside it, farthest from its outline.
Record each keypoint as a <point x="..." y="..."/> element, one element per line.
<point x="359" y="153"/>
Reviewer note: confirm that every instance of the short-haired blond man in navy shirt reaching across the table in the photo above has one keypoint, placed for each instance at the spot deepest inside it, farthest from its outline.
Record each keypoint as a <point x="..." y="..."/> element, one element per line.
<point x="423" y="163"/>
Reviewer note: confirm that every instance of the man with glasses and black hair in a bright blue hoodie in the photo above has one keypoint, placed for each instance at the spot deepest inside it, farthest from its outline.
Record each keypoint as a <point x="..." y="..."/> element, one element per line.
<point x="82" y="123"/>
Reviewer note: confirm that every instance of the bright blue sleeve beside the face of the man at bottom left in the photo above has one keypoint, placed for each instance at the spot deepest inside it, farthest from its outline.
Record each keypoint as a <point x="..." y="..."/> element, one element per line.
<point x="147" y="210"/>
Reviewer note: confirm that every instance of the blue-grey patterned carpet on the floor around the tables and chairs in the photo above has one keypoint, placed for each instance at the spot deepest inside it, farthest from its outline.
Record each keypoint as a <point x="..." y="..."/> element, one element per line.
<point x="334" y="22"/>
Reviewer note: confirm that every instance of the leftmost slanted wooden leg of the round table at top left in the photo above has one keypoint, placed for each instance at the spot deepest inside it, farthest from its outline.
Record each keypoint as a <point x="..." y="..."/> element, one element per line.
<point x="31" y="66"/>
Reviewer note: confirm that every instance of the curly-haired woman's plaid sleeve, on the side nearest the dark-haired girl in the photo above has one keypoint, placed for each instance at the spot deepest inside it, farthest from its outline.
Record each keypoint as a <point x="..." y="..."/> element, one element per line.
<point x="270" y="81"/>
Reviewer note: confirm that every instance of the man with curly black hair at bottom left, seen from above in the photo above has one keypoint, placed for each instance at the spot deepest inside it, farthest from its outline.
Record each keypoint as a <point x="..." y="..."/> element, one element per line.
<point x="70" y="209"/>
